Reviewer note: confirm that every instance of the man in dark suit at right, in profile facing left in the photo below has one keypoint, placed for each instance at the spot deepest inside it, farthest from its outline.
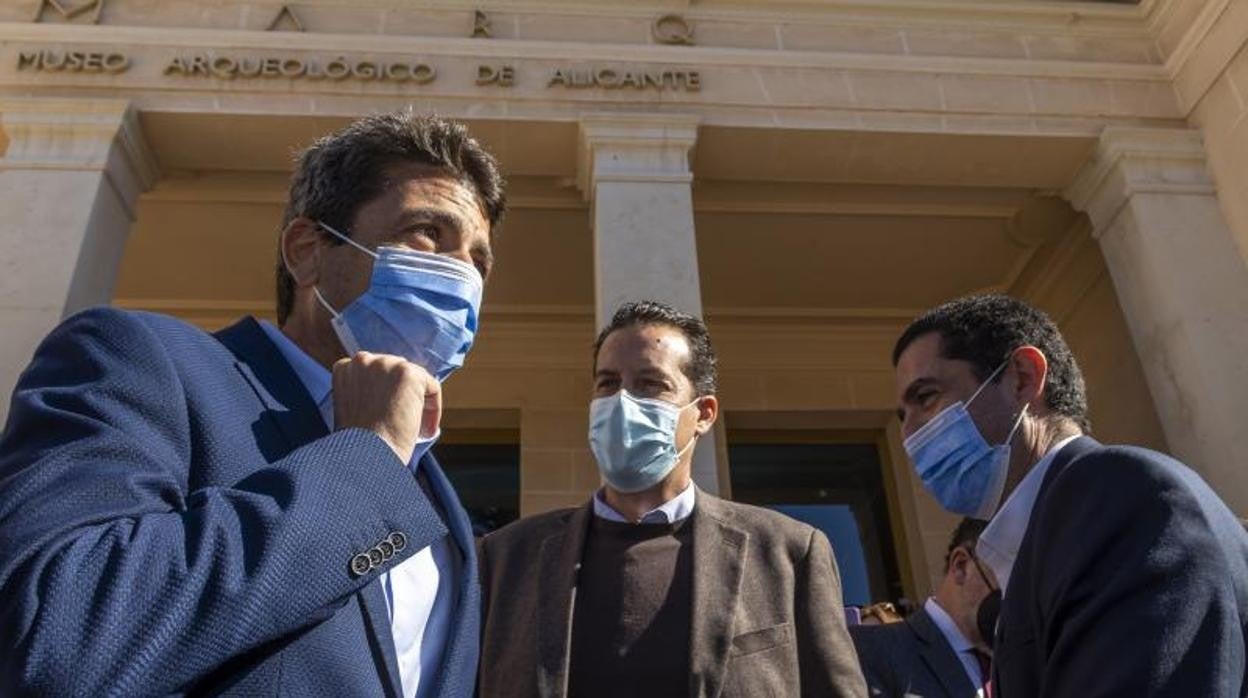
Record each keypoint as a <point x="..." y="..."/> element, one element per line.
<point x="1124" y="574"/>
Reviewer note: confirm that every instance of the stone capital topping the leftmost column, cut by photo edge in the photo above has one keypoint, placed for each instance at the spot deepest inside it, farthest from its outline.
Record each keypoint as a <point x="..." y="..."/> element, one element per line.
<point x="74" y="134"/>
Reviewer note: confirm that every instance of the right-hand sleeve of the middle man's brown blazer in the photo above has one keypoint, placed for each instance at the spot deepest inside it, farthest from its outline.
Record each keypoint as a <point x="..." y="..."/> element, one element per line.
<point x="829" y="665"/>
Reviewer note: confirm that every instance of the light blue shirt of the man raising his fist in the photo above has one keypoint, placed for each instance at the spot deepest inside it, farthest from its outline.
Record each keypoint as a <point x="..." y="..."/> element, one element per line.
<point x="420" y="592"/>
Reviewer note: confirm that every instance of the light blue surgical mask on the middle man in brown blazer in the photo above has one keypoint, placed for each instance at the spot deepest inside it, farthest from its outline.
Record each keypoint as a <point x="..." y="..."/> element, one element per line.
<point x="635" y="440"/>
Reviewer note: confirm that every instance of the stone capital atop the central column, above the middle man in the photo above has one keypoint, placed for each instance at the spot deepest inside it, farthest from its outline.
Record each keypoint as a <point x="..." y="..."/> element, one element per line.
<point x="635" y="148"/>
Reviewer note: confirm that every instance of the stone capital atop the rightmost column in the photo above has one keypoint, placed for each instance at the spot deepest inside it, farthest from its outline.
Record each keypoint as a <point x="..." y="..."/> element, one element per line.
<point x="1135" y="160"/>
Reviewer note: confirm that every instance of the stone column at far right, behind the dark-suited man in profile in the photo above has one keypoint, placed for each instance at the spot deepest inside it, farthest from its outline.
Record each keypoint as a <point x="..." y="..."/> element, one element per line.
<point x="1184" y="288"/>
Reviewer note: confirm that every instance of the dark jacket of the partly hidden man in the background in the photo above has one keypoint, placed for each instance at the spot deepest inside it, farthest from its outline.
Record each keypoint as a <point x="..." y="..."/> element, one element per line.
<point x="910" y="659"/>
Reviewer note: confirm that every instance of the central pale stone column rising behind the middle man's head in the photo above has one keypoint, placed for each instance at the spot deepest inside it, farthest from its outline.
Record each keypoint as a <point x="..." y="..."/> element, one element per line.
<point x="635" y="170"/>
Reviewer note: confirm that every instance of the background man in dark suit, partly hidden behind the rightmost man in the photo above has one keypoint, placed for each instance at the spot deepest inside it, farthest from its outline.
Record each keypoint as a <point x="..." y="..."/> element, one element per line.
<point x="938" y="651"/>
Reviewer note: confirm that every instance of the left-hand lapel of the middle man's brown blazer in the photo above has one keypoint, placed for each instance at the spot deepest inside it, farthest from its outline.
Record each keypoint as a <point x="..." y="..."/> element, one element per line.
<point x="560" y="563"/>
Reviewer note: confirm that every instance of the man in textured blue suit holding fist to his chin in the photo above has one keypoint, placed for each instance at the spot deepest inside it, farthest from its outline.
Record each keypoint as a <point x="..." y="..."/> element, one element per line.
<point x="256" y="513"/>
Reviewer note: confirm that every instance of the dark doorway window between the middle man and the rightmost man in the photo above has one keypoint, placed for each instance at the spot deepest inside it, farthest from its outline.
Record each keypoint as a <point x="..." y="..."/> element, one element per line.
<point x="834" y="483"/>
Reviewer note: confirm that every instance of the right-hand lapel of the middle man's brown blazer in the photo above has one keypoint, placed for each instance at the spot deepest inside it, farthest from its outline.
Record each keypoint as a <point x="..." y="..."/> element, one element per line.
<point x="719" y="568"/>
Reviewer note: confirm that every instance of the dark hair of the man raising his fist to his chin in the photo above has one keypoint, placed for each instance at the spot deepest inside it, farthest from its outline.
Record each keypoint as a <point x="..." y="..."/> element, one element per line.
<point x="340" y="173"/>
